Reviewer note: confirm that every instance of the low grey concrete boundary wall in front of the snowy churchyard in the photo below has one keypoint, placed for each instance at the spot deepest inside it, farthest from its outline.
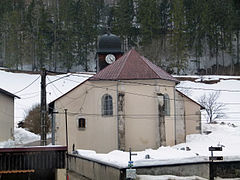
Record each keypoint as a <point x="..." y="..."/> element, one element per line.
<point x="83" y="169"/>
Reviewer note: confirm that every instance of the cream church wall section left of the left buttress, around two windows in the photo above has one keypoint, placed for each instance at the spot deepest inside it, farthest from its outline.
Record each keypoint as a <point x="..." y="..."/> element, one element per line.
<point x="85" y="101"/>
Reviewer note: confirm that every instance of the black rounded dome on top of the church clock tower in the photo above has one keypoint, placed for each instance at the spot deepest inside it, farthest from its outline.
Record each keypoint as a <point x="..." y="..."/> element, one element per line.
<point x="109" y="43"/>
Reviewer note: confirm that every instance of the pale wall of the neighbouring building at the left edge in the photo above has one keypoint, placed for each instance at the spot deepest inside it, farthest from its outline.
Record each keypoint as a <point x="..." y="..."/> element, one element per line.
<point x="6" y="117"/>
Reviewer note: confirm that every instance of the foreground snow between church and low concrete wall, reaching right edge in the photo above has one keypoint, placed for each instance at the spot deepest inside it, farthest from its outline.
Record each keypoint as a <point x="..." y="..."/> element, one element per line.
<point x="194" y="150"/>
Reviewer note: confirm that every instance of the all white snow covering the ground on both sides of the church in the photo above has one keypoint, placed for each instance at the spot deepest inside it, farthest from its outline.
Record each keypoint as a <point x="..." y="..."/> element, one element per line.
<point x="227" y="134"/>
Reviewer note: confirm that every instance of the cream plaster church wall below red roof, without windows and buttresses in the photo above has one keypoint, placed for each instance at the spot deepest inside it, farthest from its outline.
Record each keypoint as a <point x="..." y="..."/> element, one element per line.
<point x="101" y="133"/>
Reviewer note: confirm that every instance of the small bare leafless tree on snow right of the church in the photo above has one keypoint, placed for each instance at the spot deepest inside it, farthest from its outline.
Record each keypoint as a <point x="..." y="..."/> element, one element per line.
<point x="213" y="108"/>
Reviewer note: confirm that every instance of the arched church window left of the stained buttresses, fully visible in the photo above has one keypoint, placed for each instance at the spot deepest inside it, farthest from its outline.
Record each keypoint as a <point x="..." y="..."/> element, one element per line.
<point x="107" y="105"/>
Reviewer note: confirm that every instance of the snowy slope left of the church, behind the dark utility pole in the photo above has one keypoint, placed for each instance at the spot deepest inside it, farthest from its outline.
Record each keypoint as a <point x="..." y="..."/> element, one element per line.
<point x="27" y="87"/>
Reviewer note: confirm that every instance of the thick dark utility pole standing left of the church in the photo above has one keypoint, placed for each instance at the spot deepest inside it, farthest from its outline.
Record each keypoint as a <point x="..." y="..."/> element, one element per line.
<point x="43" y="113"/>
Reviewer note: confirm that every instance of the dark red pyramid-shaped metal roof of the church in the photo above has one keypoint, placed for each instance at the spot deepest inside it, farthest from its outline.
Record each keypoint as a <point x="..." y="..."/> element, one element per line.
<point x="132" y="66"/>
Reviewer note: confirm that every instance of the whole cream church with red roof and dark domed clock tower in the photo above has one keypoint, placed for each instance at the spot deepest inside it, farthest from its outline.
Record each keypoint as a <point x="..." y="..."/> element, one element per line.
<point x="128" y="103"/>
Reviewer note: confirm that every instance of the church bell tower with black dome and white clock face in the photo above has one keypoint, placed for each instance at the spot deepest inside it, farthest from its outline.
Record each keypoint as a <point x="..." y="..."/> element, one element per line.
<point x="109" y="50"/>
